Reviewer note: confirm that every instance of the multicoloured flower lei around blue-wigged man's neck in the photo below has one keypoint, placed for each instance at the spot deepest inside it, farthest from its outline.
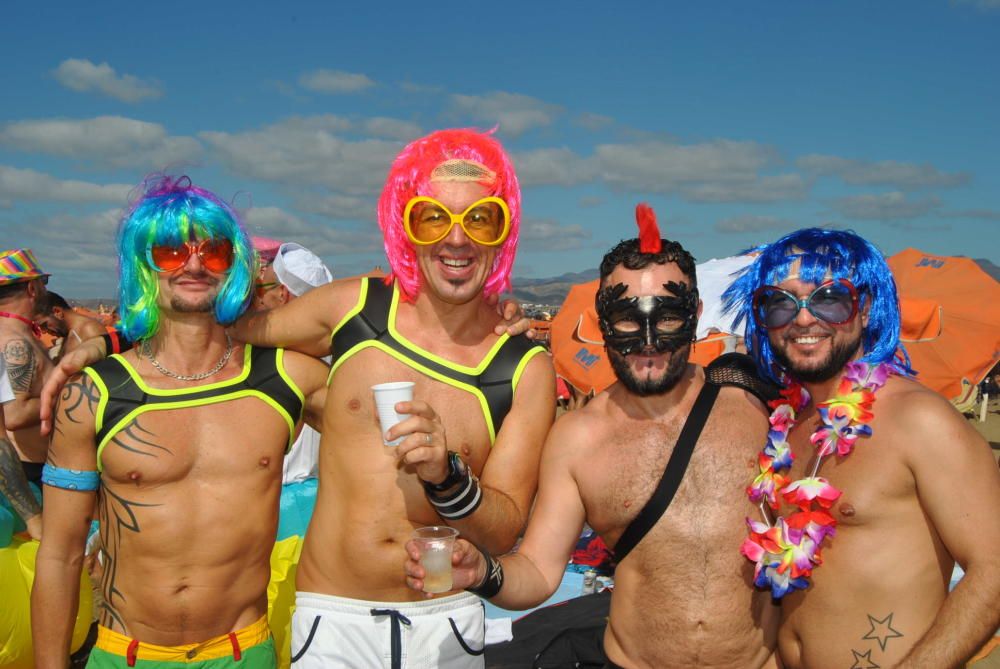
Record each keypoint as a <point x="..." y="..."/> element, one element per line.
<point x="786" y="552"/>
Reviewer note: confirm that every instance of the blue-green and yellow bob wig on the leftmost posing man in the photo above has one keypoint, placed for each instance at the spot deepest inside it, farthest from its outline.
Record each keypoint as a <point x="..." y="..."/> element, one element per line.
<point x="172" y="211"/>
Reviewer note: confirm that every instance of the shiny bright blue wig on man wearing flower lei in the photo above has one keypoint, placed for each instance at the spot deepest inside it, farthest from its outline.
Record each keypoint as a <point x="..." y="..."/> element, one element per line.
<point x="820" y="254"/>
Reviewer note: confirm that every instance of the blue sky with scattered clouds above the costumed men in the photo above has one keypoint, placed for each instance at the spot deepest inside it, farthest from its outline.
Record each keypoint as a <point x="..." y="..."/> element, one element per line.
<point x="737" y="121"/>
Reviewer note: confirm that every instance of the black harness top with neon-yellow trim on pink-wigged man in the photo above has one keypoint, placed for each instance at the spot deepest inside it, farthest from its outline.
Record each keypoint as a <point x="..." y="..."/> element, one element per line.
<point x="371" y="323"/>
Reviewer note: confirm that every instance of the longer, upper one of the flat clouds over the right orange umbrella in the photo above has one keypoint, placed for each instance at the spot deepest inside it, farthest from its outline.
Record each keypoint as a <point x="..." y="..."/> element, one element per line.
<point x="881" y="173"/>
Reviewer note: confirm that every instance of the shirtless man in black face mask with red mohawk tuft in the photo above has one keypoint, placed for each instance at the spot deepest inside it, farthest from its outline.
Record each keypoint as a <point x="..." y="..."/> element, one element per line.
<point x="682" y="598"/>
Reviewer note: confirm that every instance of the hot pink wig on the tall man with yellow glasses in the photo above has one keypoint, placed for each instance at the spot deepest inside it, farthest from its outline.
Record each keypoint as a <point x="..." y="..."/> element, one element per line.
<point x="412" y="174"/>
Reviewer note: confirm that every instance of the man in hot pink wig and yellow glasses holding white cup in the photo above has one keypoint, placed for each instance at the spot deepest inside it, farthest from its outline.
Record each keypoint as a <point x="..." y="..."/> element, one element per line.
<point x="450" y="212"/>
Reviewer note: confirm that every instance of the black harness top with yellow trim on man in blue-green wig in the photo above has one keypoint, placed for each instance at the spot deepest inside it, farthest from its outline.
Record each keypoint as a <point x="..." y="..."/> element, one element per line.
<point x="124" y="395"/>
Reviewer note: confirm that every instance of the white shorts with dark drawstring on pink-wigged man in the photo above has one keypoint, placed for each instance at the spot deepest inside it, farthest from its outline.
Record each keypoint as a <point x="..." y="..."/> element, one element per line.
<point x="330" y="631"/>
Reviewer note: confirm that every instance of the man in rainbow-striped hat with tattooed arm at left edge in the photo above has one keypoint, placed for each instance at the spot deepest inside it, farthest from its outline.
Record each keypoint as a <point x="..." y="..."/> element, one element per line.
<point x="22" y="286"/>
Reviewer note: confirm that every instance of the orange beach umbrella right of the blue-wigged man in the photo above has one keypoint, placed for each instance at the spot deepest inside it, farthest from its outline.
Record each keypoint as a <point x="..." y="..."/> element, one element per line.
<point x="950" y="320"/>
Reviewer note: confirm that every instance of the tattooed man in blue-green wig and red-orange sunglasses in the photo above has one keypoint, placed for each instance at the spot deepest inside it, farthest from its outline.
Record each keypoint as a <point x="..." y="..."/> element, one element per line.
<point x="181" y="440"/>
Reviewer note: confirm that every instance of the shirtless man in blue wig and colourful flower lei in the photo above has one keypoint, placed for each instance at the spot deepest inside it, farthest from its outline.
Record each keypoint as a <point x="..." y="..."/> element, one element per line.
<point x="917" y="490"/>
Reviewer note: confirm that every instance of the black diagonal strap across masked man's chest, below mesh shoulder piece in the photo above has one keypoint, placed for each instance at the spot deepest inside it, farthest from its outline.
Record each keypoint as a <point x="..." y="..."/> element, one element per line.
<point x="672" y="475"/>
